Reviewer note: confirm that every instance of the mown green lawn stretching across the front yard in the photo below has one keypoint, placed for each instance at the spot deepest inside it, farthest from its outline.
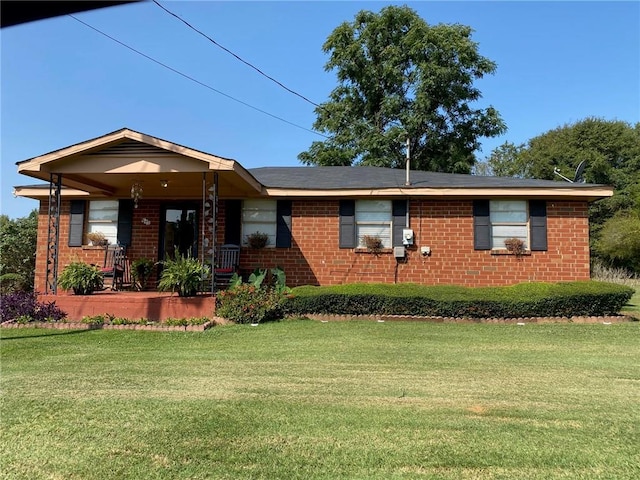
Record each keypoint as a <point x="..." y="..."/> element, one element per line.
<point x="311" y="400"/>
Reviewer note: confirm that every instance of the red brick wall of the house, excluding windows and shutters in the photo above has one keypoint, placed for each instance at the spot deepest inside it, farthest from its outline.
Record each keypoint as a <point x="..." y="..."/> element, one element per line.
<point x="314" y="258"/>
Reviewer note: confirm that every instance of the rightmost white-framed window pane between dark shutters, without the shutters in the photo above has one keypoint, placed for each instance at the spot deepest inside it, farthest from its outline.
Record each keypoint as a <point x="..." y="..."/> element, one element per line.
<point x="509" y="219"/>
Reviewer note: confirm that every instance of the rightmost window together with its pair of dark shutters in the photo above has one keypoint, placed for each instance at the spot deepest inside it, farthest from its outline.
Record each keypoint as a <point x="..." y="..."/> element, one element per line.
<point x="494" y="221"/>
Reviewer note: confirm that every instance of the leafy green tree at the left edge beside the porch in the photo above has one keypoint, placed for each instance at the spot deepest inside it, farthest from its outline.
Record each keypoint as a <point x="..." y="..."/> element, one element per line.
<point x="18" y="252"/>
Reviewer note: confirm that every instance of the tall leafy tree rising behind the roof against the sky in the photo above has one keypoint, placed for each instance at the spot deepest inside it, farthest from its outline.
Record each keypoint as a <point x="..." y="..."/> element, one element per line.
<point x="400" y="77"/>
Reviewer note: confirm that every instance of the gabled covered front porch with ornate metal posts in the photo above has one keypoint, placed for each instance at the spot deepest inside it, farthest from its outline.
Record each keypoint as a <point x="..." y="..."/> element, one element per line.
<point x="154" y="198"/>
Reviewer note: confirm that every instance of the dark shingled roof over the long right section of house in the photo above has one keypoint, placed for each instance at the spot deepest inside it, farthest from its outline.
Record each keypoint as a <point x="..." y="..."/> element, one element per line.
<point x="337" y="178"/>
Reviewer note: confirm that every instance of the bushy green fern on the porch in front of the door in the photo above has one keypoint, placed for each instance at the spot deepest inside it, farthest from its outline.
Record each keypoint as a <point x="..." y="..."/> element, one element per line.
<point x="183" y="274"/>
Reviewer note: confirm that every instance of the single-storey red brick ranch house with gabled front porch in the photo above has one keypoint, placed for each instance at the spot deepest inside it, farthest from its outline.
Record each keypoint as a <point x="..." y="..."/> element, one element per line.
<point x="450" y="228"/>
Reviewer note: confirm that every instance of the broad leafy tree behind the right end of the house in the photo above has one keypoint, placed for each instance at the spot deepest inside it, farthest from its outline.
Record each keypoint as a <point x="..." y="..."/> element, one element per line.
<point x="611" y="149"/>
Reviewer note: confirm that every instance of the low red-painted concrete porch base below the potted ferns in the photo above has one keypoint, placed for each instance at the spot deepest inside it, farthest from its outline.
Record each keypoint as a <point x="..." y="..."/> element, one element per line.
<point x="154" y="306"/>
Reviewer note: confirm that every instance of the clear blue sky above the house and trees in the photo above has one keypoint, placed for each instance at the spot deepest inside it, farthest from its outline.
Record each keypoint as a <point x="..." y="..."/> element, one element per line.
<point x="63" y="83"/>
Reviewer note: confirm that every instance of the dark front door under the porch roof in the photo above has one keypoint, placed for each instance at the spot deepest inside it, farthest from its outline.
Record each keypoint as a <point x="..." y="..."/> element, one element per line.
<point x="179" y="231"/>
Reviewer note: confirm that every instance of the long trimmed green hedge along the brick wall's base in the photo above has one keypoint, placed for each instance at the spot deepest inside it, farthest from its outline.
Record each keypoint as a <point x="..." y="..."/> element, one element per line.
<point x="523" y="300"/>
